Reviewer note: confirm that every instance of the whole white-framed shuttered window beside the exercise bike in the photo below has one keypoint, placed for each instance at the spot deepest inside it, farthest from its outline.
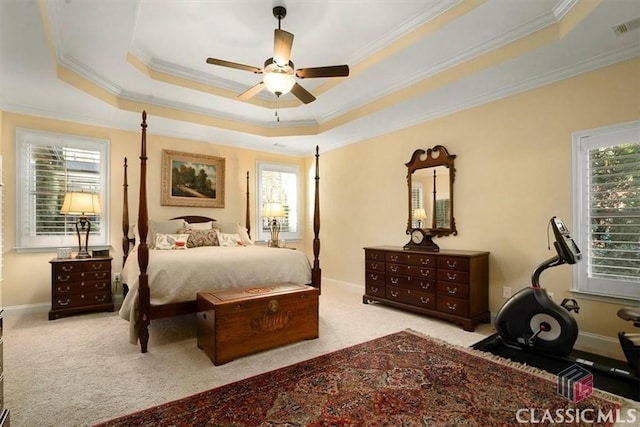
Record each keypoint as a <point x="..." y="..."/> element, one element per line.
<point x="607" y="210"/>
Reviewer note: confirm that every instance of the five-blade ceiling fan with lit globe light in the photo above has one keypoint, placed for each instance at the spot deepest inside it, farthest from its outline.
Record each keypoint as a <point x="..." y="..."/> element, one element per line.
<point x="278" y="71"/>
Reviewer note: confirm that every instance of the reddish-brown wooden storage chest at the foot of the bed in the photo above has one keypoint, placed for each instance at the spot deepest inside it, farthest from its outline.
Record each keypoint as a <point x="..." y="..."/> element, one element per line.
<point x="237" y="322"/>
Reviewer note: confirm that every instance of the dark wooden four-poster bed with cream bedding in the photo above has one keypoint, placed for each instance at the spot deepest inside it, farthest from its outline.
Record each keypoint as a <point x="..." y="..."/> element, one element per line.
<point x="228" y="266"/>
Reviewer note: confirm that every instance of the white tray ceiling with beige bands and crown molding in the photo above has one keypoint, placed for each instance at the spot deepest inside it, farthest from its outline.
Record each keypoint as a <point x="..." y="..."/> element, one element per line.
<point x="103" y="61"/>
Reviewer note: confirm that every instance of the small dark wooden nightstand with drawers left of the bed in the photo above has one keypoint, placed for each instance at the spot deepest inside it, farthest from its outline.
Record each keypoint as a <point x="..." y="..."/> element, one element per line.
<point x="80" y="285"/>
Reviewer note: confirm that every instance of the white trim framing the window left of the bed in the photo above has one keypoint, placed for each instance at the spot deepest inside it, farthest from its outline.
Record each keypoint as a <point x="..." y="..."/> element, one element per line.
<point x="26" y="243"/>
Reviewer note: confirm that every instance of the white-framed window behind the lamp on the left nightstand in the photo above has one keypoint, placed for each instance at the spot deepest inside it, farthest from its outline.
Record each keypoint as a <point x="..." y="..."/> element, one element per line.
<point x="47" y="166"/>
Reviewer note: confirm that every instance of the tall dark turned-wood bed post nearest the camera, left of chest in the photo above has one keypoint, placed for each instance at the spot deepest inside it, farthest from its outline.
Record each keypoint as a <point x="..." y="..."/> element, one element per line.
<point x="144" y="309"/>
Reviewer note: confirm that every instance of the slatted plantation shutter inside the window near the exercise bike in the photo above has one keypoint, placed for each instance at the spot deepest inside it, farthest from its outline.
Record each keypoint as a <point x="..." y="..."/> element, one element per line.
<point x="614" y="212"/>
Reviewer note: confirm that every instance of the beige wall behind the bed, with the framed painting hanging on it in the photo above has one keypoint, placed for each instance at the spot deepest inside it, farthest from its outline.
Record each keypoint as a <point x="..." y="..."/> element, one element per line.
<point x="27" y="275"/>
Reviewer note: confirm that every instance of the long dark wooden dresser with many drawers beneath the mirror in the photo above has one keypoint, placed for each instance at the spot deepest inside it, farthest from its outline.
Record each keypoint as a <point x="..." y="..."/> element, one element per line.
<point x="450" y="284"/>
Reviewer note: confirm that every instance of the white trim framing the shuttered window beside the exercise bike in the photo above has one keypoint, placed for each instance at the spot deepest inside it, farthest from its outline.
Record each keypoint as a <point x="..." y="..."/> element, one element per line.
<point x="581" y="143"/>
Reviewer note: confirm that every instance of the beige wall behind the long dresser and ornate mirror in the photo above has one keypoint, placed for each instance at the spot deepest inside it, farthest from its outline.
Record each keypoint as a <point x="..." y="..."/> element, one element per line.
<point x="513" y="173"/>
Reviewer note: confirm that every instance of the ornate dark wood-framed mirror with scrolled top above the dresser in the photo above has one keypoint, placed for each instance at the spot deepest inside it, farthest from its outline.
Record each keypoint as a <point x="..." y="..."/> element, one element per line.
<point x="430" y="176"/>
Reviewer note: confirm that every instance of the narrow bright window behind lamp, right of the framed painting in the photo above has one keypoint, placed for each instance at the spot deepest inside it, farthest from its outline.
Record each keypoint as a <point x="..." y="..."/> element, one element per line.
<point x="279" y="183"/>
